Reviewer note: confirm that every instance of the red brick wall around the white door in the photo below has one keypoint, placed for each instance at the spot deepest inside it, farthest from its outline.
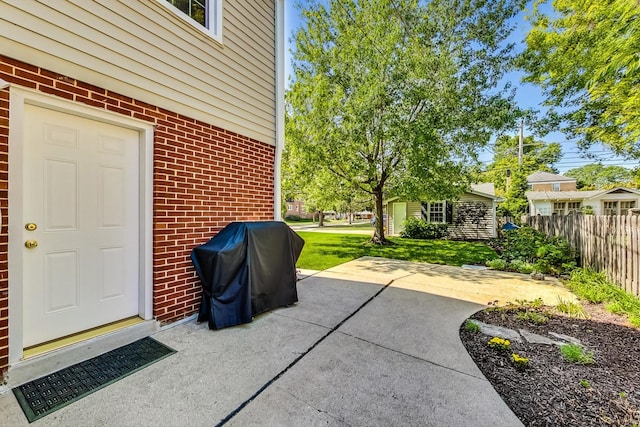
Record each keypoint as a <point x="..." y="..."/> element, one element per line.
<point x="204" y="178"/>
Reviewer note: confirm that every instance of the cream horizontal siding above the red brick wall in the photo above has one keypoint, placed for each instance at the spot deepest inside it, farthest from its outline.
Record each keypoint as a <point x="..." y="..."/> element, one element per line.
<point x="142" y="49"/>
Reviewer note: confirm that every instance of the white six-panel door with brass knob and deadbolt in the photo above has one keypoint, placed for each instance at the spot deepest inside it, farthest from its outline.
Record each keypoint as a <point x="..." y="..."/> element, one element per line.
<point x="80" y="193"/>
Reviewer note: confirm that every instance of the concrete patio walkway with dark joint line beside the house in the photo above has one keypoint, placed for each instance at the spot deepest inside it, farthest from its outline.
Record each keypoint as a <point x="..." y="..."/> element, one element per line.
<point x="373" y="342"/>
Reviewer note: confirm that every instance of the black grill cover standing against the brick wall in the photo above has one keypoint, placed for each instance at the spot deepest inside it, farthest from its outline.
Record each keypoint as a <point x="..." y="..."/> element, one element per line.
<point x="246" y="269"/>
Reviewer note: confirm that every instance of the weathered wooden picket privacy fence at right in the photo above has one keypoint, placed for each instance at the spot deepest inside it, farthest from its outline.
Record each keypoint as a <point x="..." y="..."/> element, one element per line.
<point x="605" y="243"/>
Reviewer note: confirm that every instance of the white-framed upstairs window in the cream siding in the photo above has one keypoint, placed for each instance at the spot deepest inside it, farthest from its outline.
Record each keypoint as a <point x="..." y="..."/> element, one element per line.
<point x="203" y="14"/>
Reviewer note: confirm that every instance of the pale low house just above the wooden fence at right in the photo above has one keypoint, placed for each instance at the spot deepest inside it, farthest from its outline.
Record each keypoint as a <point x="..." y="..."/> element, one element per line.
<point x="616" y="201"/>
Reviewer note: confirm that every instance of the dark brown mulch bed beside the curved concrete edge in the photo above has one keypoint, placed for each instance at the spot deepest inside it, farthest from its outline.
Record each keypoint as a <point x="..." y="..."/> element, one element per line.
<point x="552" y="391"/>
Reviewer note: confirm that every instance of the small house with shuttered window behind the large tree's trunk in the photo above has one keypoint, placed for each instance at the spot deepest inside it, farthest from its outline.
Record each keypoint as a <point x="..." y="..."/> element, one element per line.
<point x="445" y="212"/>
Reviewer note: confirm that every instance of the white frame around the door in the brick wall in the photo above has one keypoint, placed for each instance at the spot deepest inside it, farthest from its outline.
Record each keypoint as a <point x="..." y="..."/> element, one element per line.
<point x="18" y="97"/>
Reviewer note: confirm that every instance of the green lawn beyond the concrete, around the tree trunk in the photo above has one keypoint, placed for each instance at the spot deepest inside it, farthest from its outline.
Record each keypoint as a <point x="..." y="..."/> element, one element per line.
<point x="325" y="250"/>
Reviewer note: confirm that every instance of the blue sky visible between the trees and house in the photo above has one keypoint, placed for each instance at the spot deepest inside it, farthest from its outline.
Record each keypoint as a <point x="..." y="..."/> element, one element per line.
<point x="528" y="96"/>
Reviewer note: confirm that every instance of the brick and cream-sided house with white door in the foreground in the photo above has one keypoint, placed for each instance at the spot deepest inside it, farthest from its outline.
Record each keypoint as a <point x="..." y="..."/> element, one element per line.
<point x="130" y="133"/>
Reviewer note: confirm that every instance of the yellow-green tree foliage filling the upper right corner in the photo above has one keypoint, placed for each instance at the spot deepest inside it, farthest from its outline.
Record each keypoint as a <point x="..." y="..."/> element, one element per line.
<point x="586" y="57"/>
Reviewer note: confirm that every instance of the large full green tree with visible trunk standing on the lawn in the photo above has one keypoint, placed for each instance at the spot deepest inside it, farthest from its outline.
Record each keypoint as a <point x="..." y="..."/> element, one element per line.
<point x="395" y="96"/>
